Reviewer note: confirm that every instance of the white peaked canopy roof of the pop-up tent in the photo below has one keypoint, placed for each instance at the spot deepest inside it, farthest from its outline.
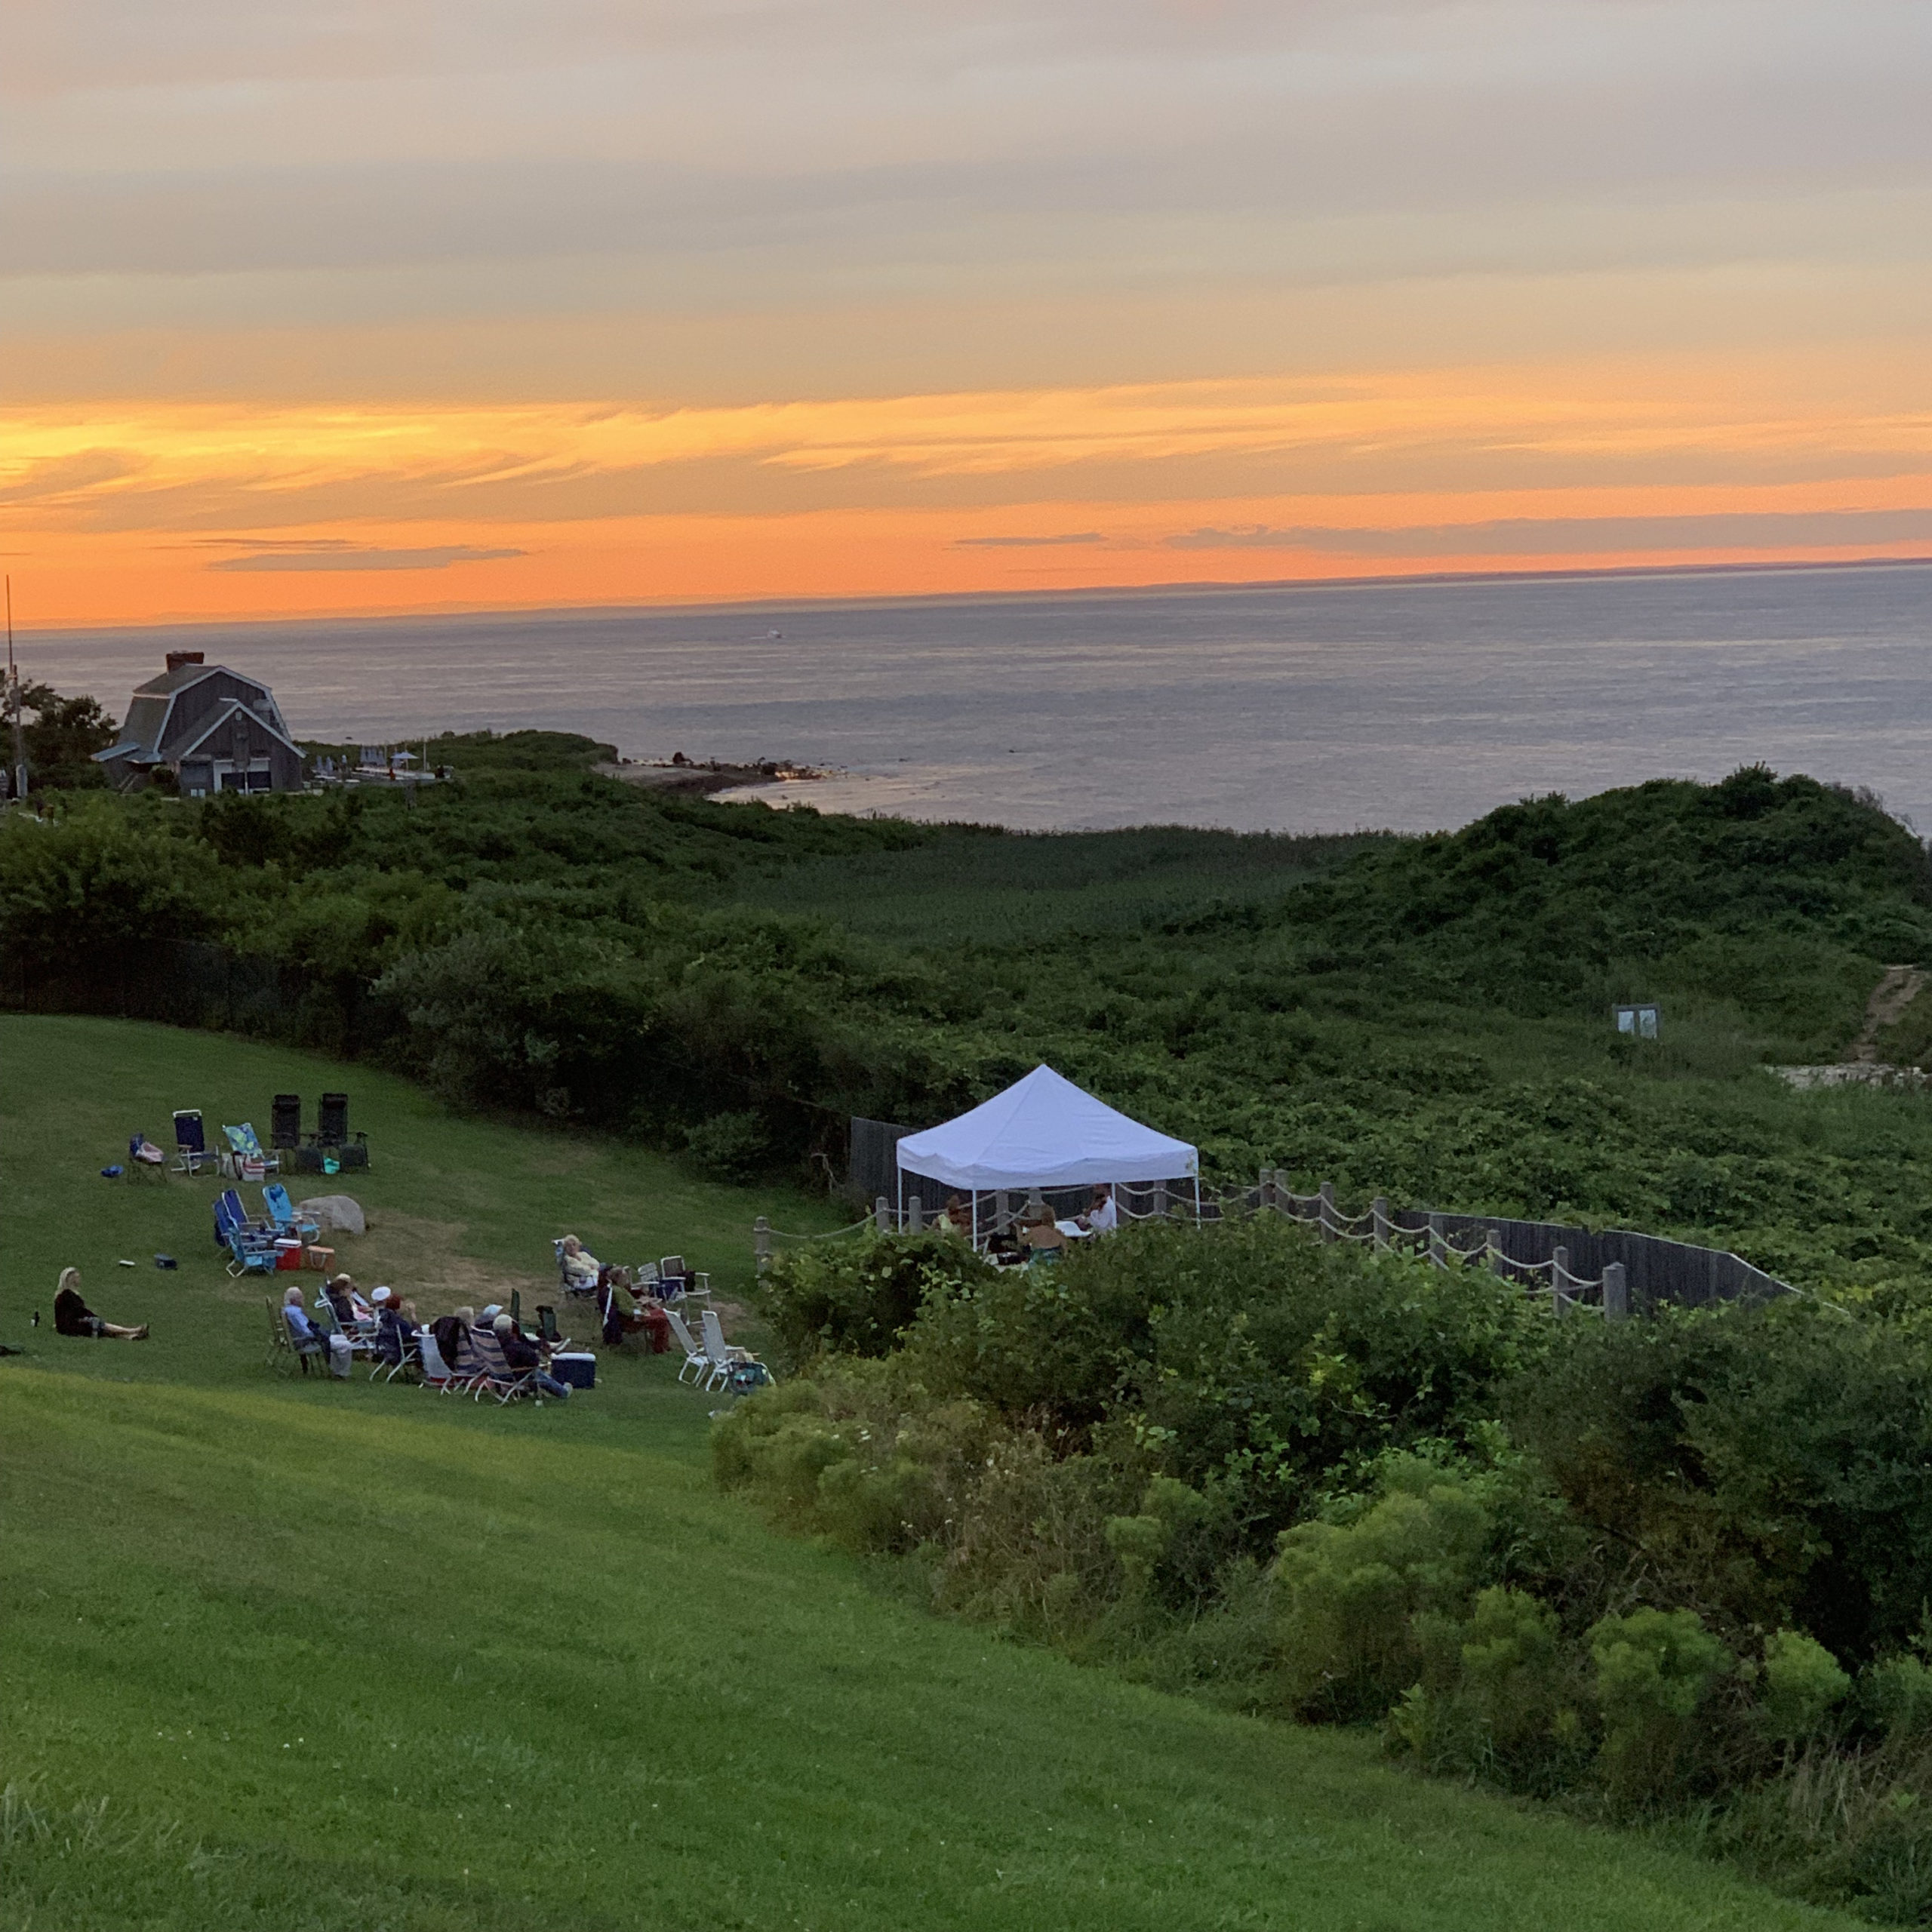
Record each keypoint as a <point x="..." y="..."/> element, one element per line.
<point x="1044" y="1133"/>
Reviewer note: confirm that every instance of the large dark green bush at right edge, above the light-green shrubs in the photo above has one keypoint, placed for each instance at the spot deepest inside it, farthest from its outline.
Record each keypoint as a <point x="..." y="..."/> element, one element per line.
<point x="1763" y="1463"/>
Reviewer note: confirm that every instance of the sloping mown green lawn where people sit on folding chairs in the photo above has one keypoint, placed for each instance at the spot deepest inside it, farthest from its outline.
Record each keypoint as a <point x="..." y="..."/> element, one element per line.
<point x="295" y="1655"/>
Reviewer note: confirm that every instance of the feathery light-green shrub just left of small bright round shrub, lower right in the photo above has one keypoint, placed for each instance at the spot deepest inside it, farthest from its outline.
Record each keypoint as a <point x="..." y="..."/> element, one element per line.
<point x="1657" y="1672"/>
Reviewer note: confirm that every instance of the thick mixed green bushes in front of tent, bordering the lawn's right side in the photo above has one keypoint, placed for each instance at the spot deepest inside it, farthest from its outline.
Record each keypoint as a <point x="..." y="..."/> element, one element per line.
<point x="1668" y="1568"/>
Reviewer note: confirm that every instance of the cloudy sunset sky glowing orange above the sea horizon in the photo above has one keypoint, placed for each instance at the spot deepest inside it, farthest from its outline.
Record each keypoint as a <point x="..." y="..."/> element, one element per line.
<point x="385" y="306"/>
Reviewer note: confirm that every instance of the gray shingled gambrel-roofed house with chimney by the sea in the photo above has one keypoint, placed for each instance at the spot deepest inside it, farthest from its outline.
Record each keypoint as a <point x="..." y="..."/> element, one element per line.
<point x="215" y="729"/>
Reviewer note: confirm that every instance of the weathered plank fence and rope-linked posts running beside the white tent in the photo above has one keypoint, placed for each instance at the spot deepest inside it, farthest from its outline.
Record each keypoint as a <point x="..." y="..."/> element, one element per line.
<point x="1608" y="1272"/>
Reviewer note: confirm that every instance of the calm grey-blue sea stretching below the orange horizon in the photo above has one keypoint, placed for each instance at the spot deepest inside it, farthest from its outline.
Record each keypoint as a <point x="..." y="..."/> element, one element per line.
<point x="1311" y="708"/>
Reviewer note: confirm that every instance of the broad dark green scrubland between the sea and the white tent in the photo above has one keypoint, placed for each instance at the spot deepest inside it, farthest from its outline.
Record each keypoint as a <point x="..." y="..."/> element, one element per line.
<point x="1415" y="1017"/>
